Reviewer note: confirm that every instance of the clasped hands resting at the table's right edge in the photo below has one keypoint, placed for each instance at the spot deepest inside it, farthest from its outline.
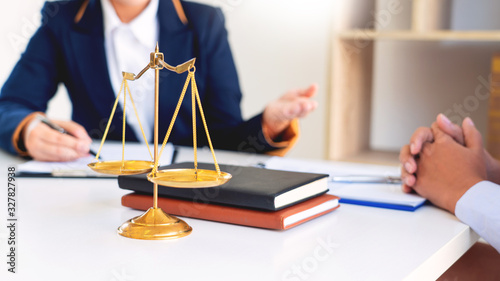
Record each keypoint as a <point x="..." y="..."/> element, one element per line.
<point x="442" y="162"/>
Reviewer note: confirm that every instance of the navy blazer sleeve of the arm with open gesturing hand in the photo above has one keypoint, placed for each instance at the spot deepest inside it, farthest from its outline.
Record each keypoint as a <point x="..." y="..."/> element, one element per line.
<point x="223" y="96"/>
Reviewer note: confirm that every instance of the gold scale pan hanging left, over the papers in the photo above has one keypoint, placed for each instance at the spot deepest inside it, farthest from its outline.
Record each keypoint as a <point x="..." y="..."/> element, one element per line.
<point x="128" y="167"/>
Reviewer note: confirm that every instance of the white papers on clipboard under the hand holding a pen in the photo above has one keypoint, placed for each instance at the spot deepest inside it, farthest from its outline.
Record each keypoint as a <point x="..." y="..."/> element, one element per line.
<point x="79" y="169"/>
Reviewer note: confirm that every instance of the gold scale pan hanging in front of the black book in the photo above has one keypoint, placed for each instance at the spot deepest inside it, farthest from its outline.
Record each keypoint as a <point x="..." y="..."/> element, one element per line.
<point x="185" y="178"/>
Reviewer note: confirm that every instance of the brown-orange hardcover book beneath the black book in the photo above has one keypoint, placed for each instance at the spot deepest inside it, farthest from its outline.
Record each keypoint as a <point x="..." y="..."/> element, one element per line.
<point x="282" y="219"/>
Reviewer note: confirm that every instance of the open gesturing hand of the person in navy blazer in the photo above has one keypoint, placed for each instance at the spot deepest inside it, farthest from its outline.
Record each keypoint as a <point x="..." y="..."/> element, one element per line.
<point x="293" y="104"/>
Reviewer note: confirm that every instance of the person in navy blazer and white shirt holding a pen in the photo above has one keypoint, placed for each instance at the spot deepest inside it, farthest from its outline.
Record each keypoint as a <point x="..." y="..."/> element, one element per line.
<point x="78" y="44"/>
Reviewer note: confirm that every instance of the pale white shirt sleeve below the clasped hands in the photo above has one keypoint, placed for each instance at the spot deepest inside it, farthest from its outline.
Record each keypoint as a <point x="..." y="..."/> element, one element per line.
<point x="479" y="208"/>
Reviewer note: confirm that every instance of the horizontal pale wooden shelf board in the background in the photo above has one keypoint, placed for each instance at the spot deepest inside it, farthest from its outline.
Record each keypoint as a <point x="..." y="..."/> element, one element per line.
<point x="368" y="34"/>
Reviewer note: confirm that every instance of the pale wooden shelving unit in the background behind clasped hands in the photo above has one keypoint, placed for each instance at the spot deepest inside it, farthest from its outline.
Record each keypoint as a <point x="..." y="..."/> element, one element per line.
<point x="352" y="65"/>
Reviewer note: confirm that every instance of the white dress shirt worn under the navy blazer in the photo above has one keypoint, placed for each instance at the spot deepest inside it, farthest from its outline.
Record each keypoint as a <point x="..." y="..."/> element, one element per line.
<point x="128" y="46"/>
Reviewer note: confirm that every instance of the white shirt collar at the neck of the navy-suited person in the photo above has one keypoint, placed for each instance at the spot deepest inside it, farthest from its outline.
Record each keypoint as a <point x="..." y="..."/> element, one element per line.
<point x="144" y="27"/>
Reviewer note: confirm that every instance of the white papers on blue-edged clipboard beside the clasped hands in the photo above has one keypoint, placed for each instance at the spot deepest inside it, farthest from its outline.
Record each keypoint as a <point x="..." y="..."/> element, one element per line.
<point x="383" y="195"/>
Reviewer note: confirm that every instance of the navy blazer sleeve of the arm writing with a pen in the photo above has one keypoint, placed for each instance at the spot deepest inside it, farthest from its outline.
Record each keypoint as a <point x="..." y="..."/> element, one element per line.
<point x="32" y="83"/>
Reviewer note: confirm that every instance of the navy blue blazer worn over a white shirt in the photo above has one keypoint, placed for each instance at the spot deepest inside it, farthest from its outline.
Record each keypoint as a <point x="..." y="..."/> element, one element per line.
<point x="62" y="51"/>
